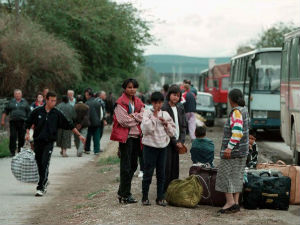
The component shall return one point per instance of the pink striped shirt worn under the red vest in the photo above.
(130, 121)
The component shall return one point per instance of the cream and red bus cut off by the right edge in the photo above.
(290, 93)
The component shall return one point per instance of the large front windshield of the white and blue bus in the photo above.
(267, 72)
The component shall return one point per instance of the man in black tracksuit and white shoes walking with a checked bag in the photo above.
(46, 120)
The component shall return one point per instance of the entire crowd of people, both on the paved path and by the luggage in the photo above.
(152, 134)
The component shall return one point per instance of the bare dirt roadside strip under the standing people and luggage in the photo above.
(89, 197)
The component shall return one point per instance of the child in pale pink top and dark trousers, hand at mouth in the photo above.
(157, 127)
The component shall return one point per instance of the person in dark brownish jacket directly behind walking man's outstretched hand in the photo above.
(82, 122)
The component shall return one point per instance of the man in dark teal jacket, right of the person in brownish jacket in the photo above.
(95, 122)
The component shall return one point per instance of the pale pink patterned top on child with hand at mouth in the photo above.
(155, 134)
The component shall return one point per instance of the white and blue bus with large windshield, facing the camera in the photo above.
(257, 75)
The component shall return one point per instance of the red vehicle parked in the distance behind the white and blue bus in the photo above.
(215, 81)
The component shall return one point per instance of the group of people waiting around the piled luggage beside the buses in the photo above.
(159, 132)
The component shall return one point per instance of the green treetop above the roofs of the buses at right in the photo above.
(274, 36)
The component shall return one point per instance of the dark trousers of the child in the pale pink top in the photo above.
(154, 158)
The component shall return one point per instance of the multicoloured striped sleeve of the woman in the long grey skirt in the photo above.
(236, 124)
